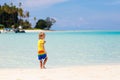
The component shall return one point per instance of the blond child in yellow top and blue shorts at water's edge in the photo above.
(42, 56)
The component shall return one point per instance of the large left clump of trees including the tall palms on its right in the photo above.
(12, 15)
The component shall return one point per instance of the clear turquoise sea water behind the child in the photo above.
(63, 48)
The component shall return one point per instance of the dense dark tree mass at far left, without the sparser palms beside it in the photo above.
(8, 15)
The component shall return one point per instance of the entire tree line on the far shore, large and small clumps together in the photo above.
(12, 16)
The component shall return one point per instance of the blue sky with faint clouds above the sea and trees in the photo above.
(74, 14)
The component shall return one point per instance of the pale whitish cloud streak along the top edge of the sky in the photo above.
(41, 3)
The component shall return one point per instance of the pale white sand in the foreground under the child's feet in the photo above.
(96, 72)
